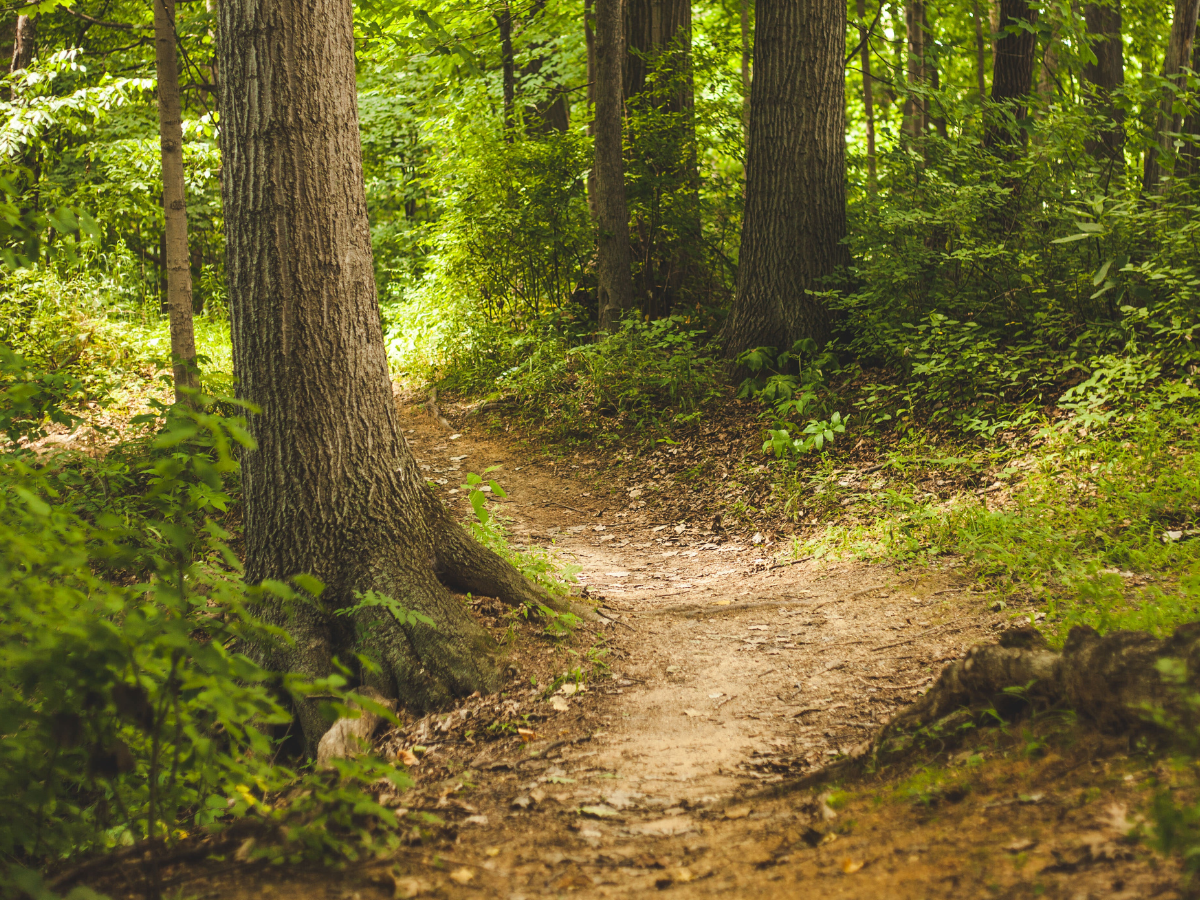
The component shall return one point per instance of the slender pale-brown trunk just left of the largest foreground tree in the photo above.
(175, 202)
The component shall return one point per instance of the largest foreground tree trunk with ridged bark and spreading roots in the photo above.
(332, 489)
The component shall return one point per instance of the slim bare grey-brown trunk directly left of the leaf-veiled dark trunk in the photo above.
(616, 286)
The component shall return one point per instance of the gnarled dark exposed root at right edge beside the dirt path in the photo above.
(1108, 681)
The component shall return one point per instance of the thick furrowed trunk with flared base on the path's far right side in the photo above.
(796, 193)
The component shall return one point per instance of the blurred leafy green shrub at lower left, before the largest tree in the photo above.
(131, 706)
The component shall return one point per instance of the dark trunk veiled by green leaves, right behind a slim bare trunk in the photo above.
(667, 218)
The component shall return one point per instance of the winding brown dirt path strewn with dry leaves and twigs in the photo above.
(680, 755)
